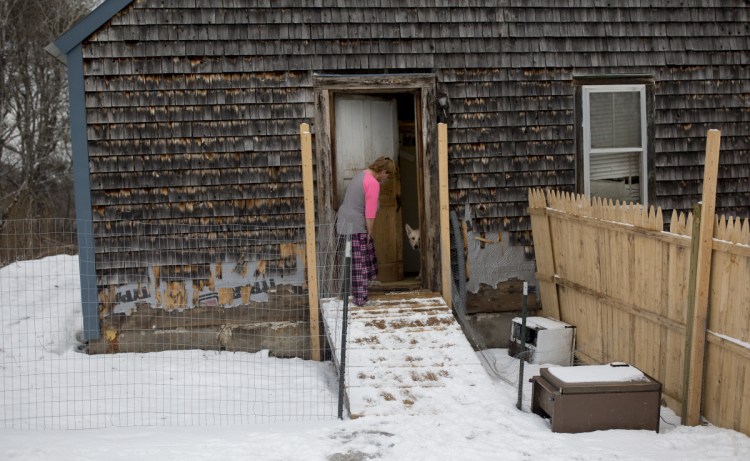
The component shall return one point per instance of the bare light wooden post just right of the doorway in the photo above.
(445, 241)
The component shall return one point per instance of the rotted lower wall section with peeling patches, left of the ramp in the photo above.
(238, 306)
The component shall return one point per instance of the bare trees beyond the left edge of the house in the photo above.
(35, 153)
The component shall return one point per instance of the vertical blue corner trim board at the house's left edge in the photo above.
(82, 192)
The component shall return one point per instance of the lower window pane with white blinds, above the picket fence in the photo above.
(616, 176)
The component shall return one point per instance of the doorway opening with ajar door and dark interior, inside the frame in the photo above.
(366, 126)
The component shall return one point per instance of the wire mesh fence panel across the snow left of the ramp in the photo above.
(197, 325)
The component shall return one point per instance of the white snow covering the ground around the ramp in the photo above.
(59, 404)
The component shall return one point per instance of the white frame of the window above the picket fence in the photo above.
(587, 150)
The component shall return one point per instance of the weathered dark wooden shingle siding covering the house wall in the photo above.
(193, 110)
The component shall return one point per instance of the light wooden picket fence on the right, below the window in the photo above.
(628, 287)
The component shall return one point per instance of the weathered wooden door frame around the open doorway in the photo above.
(326, 86)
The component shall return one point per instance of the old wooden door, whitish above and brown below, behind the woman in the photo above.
(366, 128)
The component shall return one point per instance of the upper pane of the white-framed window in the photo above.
(615, 119)
